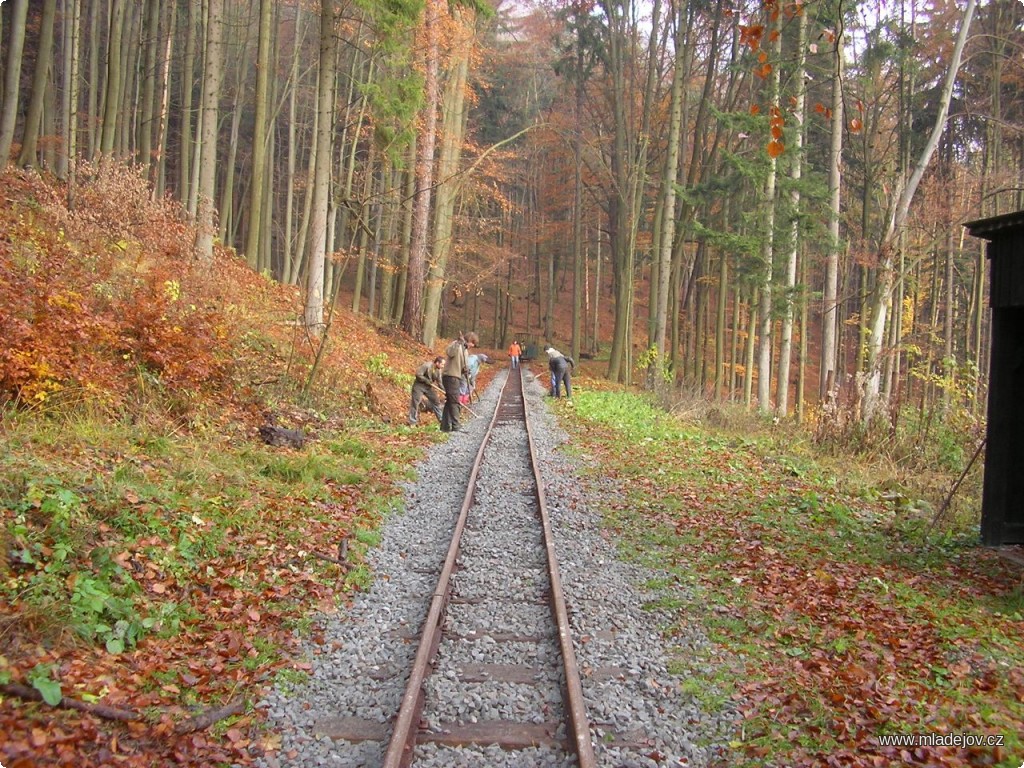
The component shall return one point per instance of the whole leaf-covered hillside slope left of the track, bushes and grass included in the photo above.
(158, 559)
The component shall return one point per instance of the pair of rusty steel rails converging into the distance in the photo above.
(401, 748)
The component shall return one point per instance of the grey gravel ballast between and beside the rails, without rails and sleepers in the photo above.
(638, 715)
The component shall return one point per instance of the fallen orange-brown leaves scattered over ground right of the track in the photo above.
(846, 655)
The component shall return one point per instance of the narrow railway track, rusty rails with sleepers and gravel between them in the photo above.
(495, 680)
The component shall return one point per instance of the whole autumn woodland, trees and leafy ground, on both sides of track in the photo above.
(218, 216)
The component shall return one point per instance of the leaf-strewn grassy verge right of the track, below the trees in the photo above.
(840, 625)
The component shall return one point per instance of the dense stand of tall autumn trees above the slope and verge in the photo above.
(769, 197)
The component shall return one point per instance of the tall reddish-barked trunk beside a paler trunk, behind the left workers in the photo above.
(412, 320)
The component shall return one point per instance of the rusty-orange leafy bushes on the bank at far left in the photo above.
(82, 311)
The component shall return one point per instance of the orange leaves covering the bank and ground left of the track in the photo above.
(107, 300)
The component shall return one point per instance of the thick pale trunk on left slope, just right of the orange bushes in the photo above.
(206, 226)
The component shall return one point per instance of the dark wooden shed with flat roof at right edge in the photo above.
(1003, 501)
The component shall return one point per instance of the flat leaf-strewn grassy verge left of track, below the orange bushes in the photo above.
(167, 574)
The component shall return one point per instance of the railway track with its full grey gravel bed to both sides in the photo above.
(489, 690)
